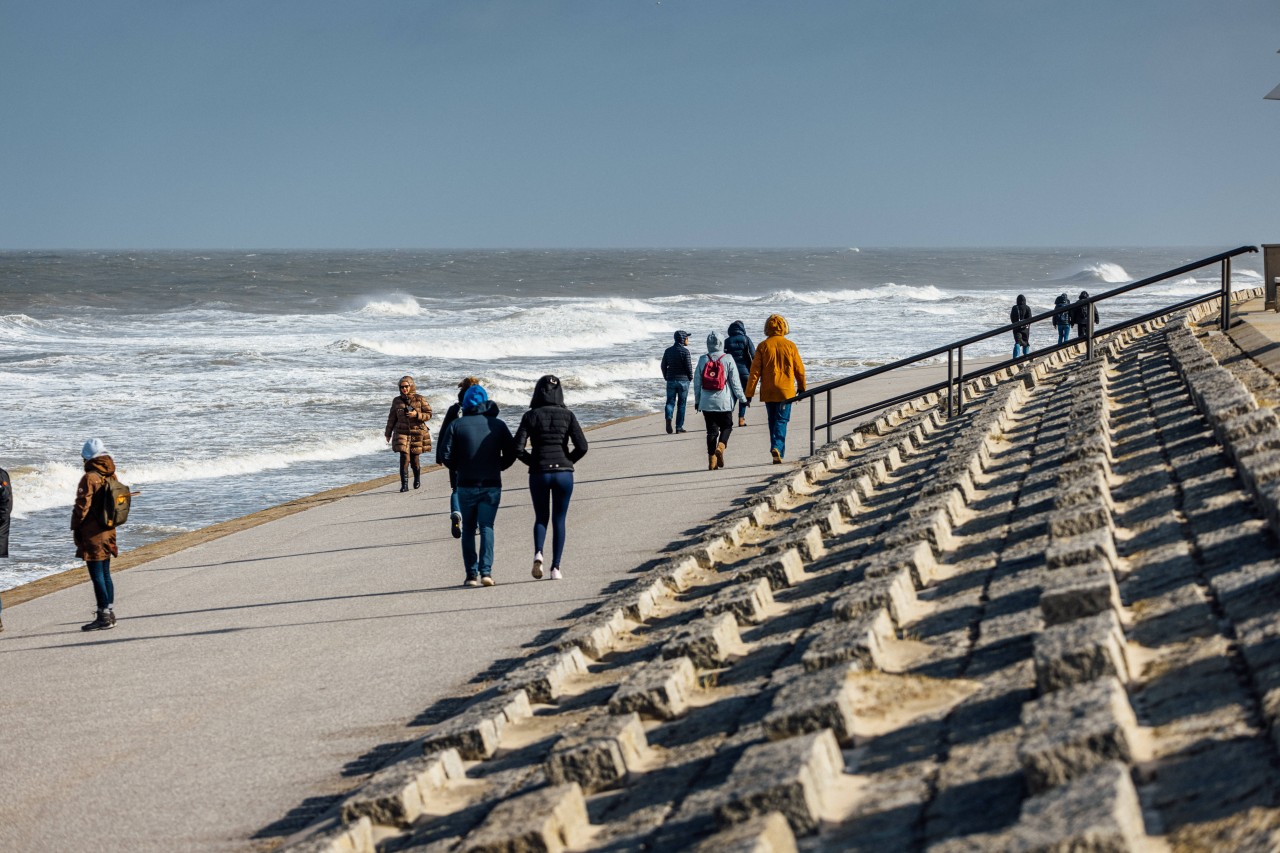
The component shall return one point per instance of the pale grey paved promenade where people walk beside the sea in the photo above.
(253, 677)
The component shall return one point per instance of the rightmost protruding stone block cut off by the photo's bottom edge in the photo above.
(1096, 814)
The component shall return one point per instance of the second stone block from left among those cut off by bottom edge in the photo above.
(547, 820)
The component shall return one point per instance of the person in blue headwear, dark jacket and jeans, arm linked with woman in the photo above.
(478, 448)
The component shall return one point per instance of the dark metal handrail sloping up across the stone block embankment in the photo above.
(957, 376)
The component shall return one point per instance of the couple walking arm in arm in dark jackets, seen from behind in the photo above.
(478, 446)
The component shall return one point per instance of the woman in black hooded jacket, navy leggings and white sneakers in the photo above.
(552, 427)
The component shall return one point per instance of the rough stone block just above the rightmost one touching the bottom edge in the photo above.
(1069, 733)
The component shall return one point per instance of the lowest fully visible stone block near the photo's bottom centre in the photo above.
(789, 777)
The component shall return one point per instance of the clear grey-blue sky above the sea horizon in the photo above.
(637, 124)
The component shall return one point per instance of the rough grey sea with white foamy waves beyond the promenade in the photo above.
(228, 382)
